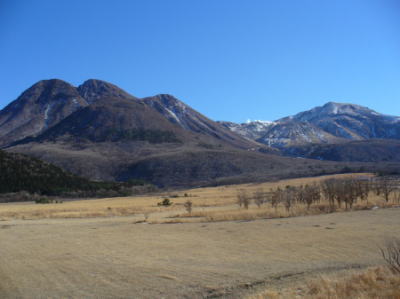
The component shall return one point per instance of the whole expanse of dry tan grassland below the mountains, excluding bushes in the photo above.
(125, 248)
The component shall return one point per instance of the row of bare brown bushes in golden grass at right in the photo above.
(318, 197)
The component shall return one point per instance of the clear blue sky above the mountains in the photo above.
(230, 60)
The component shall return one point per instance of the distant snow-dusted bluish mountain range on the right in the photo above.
(328, 124)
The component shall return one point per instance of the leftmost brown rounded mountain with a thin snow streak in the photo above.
(38, 108)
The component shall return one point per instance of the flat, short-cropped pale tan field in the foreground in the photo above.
(116, 257)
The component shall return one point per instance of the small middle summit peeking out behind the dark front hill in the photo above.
(94, 89)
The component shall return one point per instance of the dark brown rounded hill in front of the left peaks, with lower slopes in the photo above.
(98, 142)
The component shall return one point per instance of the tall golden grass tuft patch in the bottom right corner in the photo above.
(374, 282)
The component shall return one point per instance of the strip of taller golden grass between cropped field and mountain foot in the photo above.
(209, 204)
